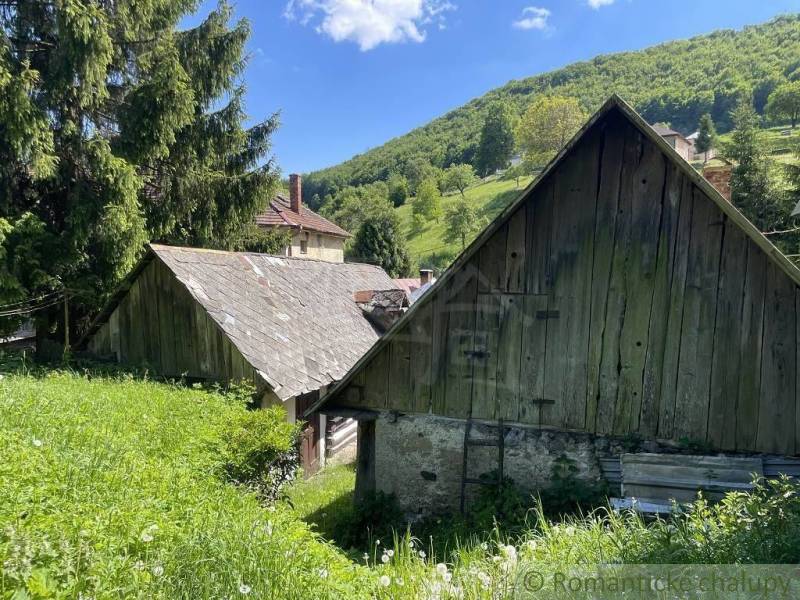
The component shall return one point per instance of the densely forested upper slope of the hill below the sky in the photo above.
(675, 82)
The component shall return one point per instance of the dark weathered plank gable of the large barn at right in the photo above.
(618, 300)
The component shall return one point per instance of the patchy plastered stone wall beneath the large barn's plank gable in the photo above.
(419, 458)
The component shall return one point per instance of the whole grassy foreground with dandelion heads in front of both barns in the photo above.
(110, 488)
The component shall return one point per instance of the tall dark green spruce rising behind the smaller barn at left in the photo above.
(117, 127)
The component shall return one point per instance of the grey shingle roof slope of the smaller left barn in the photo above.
(294, 319)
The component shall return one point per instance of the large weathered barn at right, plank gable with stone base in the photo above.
(620, 302)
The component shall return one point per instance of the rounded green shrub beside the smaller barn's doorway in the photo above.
(259, 450)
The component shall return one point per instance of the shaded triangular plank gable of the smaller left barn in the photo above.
(158, 324)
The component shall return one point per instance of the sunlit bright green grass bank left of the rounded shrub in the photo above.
(109, 490)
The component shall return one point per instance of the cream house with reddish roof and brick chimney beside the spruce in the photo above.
(313, 236)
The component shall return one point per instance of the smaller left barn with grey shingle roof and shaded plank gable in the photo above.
(290, 326)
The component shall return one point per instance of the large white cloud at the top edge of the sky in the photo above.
(370, 22)
